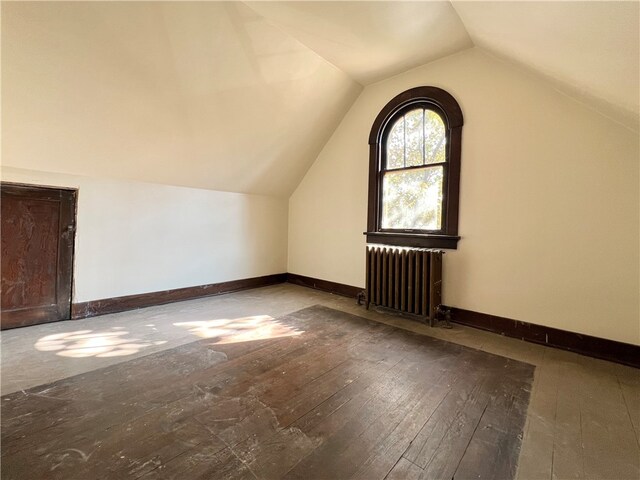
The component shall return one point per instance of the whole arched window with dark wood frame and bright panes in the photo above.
(414, 170)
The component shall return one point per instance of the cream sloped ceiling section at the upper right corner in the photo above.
(590, 50)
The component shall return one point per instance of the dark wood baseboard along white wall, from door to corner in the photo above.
(132, 302)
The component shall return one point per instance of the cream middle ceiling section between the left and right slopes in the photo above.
(371, 41)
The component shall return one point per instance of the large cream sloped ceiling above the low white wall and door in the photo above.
(196, 94)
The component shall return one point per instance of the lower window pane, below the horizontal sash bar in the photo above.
(412, 199)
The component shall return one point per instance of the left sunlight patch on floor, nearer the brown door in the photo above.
(87, 343)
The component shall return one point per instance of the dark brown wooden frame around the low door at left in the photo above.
(67, 197)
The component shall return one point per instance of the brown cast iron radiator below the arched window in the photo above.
(405, 279)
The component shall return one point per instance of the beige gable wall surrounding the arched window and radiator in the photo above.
(549, 210)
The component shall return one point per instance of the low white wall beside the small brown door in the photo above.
(135, 237)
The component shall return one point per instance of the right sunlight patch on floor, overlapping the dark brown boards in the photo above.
(245, 329)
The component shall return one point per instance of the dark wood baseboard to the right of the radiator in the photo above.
(619, 352)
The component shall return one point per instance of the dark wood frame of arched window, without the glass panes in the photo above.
(443, 103)
